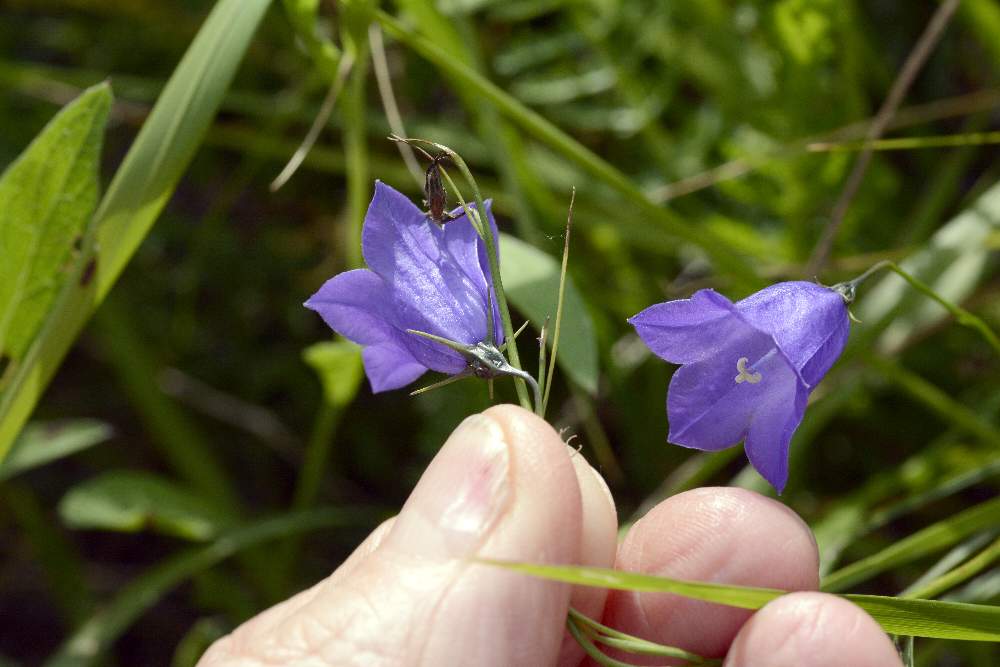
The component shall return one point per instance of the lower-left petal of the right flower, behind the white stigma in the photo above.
(707, 408)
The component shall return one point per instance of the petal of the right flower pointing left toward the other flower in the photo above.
(689, 330)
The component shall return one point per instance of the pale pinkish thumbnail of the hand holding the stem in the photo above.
(460, 496)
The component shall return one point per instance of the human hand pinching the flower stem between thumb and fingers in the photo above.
(505, 486)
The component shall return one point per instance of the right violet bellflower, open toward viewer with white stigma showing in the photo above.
(746, 368)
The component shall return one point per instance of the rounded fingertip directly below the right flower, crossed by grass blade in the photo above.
(723, 535)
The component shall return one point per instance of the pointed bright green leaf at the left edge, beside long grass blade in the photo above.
(47, 197)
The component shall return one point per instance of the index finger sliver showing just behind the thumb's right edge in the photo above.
(599, 542)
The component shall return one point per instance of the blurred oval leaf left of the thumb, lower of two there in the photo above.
(130, 502)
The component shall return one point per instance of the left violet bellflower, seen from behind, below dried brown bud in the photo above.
(422, 277)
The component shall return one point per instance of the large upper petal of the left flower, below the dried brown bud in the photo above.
(431, 286)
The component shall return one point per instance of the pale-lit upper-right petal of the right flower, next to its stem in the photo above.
(808, 321)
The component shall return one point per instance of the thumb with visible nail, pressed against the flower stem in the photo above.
(501, 487)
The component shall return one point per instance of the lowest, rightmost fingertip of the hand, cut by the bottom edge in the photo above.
(812, 630)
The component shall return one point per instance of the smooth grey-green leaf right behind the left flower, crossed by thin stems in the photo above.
(531, 281)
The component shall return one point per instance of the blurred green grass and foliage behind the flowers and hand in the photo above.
(197, 402)
